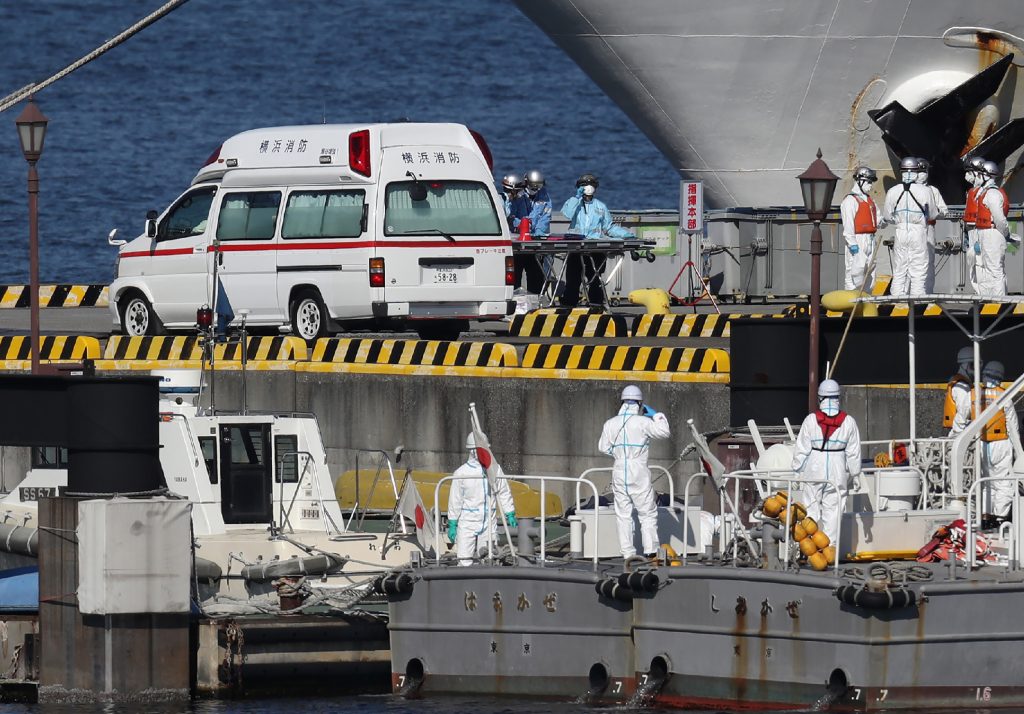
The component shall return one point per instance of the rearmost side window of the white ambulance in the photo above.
(324, 214)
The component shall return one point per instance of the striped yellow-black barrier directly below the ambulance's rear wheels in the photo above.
(413, 353)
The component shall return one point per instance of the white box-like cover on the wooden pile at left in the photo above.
(135, 556)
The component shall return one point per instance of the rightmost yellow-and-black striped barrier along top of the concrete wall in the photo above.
(623, 359)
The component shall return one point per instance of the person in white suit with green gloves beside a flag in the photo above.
(473, 515)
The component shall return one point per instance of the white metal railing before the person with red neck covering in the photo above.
(731, 514)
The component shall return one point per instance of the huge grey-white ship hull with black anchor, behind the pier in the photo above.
(742, 94)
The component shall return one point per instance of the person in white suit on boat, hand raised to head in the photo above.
(626, 438)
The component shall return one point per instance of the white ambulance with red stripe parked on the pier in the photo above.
(310, 228)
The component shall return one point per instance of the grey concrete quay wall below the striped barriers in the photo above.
(537, 427)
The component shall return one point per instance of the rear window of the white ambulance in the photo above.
(457, 208)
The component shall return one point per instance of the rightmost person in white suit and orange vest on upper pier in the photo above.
(993, 231)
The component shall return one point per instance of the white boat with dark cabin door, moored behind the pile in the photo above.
(264, 503)
